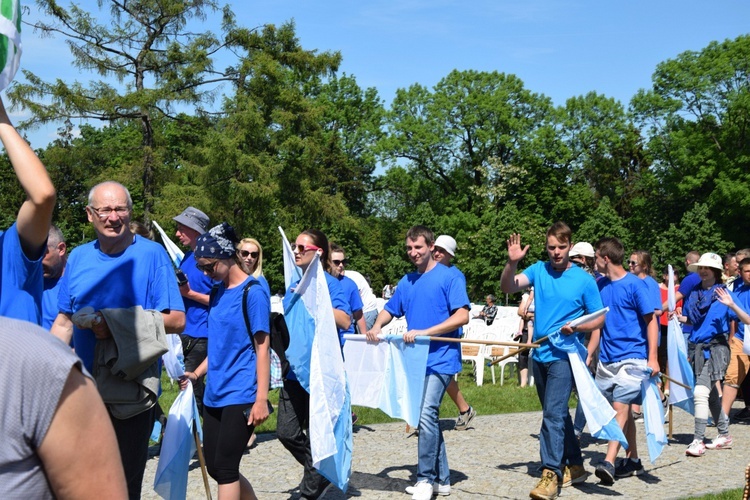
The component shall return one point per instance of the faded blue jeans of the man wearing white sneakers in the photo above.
(433, 460)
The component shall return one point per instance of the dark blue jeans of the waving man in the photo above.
(558, 445)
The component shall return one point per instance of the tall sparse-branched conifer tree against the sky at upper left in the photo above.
(150, 62)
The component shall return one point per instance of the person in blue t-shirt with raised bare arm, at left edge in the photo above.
(22, 244)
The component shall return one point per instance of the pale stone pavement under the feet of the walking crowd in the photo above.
(497, 458)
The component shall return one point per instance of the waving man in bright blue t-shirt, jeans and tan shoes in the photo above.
(562, 292)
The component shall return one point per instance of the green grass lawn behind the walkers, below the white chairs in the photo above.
(487, 400)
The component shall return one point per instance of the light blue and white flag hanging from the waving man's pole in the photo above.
(600, 417)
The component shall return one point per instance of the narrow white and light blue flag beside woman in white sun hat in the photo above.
(677, 360)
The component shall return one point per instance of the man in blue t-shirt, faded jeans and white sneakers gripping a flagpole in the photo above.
(435, 303)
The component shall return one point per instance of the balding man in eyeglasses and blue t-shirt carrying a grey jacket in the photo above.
(111, 275)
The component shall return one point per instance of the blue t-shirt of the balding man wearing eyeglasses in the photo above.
(141, 275)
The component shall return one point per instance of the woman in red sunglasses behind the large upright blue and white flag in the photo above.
(294, 400)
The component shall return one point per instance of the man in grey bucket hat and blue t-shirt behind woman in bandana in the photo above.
(195, 288)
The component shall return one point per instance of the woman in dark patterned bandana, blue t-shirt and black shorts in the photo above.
(236, 397)
